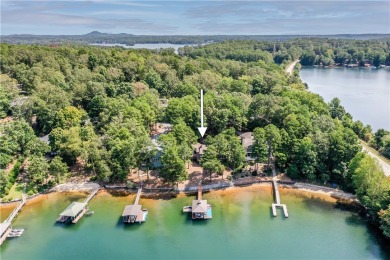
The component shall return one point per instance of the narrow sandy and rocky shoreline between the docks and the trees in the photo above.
(337, 195)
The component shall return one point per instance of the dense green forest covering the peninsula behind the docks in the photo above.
(98, 106)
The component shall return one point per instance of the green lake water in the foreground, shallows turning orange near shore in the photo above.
(242, 227)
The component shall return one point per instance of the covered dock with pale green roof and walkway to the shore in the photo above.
(76, 210)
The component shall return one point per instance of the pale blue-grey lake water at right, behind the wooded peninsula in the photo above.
(365, 93)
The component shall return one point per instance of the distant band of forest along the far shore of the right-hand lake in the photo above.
(312, 51)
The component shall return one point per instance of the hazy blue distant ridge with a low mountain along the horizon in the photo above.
(131, 39)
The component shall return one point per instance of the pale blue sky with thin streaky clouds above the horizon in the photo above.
(52, 17)
